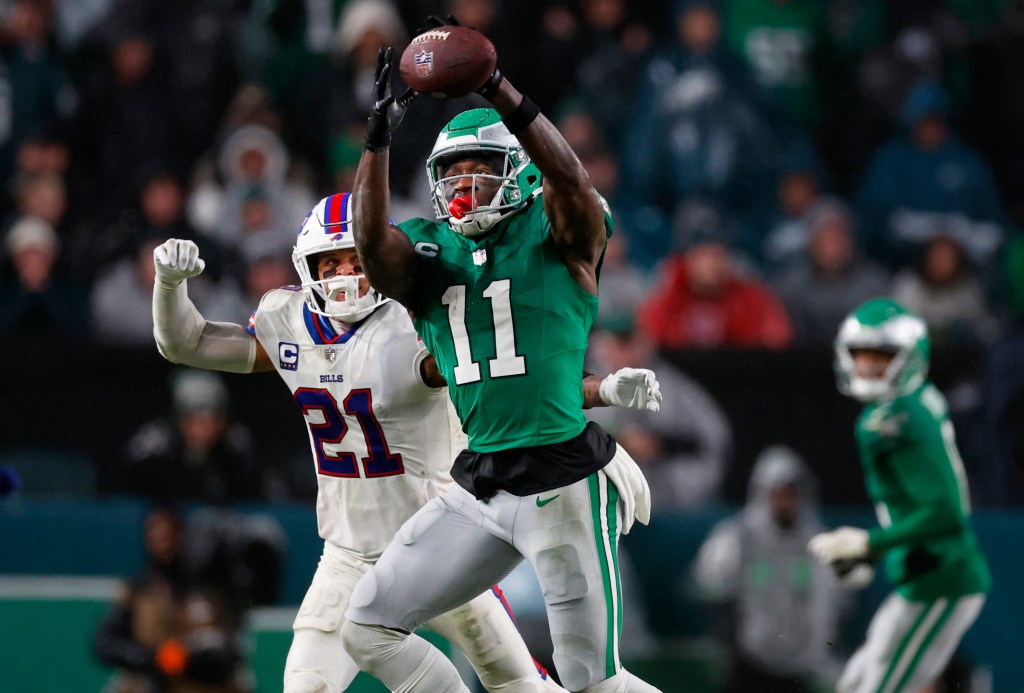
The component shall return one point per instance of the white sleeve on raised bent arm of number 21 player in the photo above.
(184, 336)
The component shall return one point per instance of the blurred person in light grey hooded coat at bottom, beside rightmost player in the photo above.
(780, 608)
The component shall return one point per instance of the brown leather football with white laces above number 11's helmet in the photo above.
(448, 62)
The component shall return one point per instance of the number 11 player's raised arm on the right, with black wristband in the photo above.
(573, 205)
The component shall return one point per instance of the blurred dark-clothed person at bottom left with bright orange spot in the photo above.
(170, 631)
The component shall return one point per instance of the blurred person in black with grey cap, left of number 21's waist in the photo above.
(200, 454)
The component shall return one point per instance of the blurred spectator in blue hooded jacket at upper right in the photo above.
(926, 180)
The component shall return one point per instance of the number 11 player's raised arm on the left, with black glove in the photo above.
(388, 255)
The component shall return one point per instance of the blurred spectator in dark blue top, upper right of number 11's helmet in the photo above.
(700, 126)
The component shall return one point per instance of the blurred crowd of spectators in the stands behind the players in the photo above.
(772, 164)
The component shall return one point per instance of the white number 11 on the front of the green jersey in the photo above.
(506, 363)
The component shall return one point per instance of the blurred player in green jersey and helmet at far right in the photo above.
(916, 480)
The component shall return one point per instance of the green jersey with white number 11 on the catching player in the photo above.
(508, 326)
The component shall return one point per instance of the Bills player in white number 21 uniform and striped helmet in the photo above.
(381, 431)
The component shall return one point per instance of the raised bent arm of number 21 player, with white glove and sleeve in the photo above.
(183, 335)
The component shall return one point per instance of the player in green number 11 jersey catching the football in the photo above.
(503, 288)
